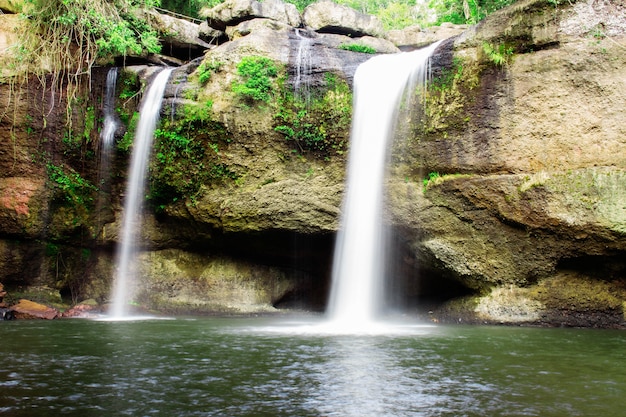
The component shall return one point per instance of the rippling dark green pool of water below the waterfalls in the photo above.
(280, 367)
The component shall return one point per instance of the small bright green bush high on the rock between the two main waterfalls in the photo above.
(256, 73)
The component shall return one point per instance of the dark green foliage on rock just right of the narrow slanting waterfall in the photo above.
(188, 155)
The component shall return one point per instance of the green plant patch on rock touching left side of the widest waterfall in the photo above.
(320, 123)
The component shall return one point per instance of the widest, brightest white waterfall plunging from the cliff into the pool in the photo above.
(359, 262)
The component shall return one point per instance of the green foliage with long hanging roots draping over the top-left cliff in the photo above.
(65, 38)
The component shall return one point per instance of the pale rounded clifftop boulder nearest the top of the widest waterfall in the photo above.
(328, 17)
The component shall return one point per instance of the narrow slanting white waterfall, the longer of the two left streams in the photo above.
(135, 189)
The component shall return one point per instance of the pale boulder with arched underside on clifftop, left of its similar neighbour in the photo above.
(233, 12)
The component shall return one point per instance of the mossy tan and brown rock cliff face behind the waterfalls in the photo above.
(506, 190)
